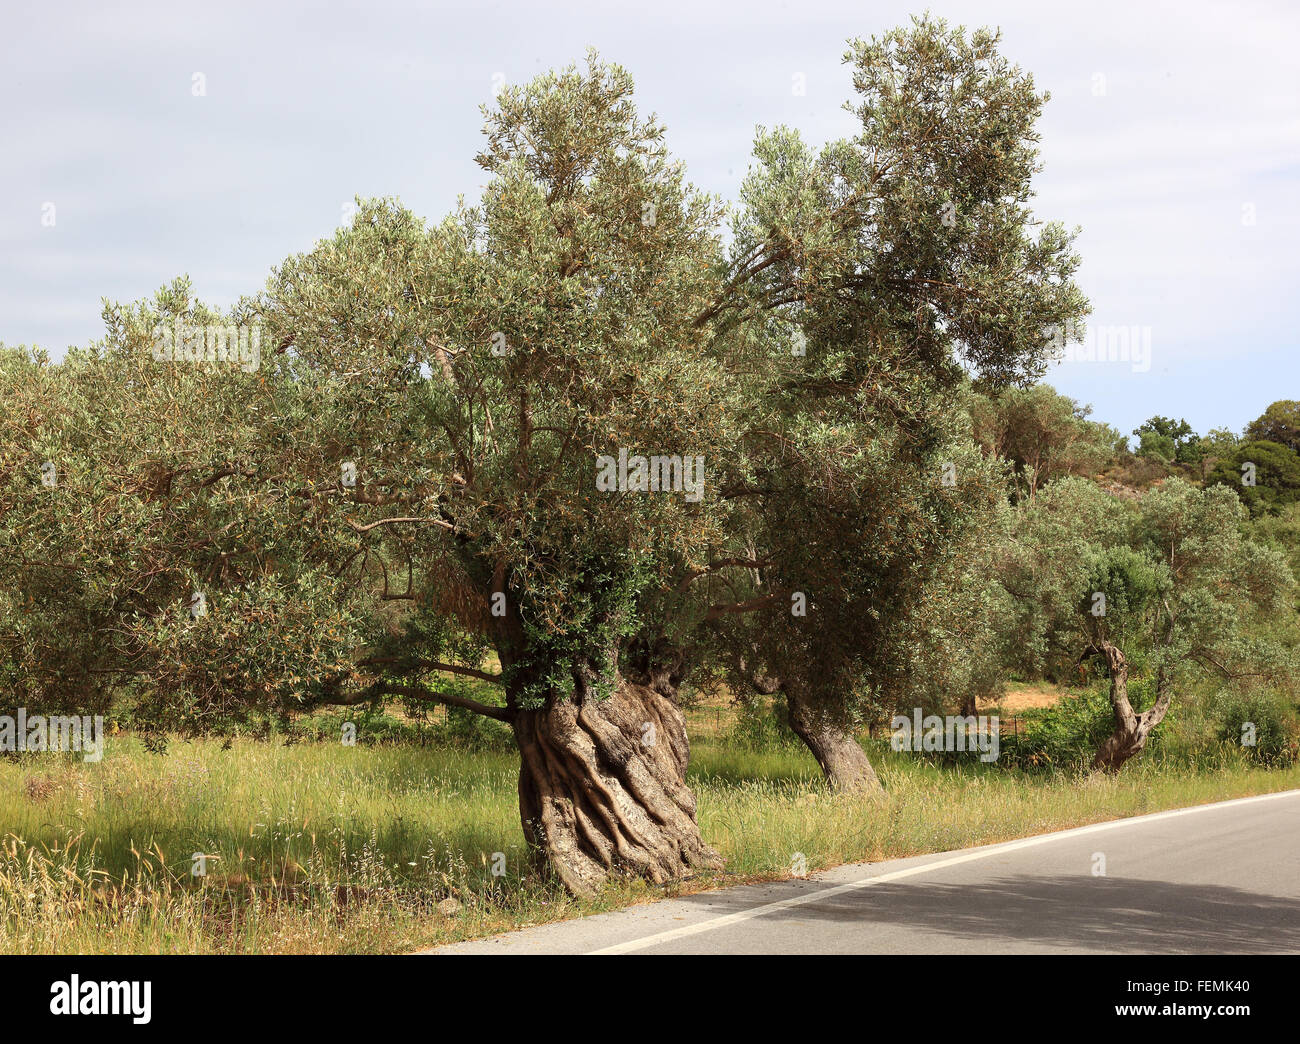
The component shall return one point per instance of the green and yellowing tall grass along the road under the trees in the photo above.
(323, 848)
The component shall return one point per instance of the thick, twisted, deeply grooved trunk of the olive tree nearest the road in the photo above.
(603, 790)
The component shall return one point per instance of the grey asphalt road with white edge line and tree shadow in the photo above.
(1219, 878)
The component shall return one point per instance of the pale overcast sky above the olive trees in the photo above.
(1173, 140)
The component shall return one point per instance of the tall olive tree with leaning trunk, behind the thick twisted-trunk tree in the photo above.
(903, 261)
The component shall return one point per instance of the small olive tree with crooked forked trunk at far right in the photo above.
(1169, 590)
